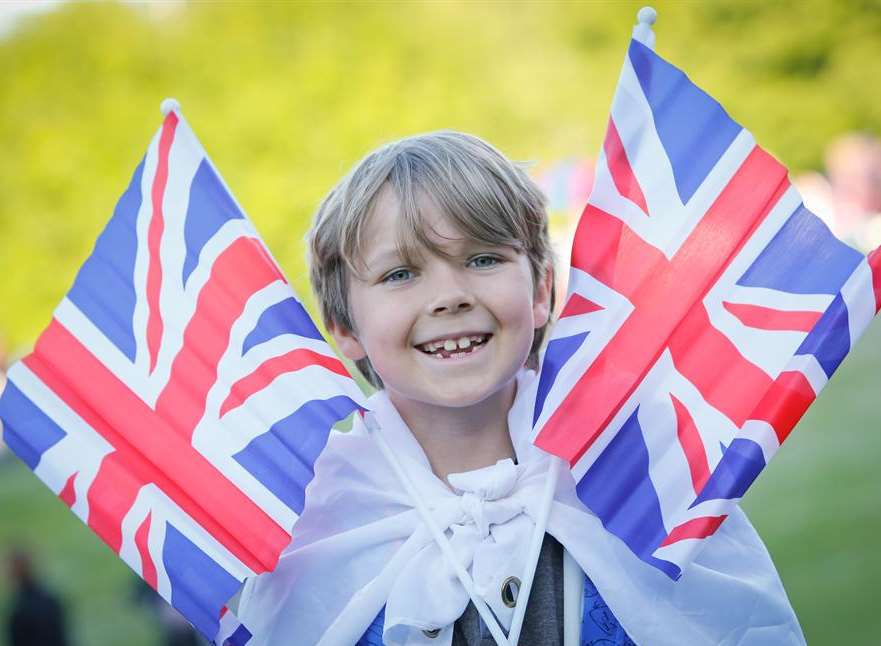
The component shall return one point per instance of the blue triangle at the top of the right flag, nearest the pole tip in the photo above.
(693, 128)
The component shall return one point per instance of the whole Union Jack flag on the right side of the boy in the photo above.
(706, 309)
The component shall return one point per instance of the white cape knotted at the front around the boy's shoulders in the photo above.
(361, 545)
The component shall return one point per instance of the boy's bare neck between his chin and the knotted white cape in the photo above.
(461, 439)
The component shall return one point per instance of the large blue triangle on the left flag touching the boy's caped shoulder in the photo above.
(282, 458)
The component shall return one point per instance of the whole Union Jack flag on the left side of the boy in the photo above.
(181, 393)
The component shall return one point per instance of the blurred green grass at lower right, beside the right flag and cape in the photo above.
(818, 505)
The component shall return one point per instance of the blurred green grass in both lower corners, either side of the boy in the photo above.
(817, 507)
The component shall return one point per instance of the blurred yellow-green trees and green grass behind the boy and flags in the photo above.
(286, 96)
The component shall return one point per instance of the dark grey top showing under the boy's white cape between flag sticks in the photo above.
(543, 624)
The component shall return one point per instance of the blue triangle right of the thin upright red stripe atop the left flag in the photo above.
(210, 206)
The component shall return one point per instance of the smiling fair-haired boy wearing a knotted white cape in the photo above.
(432, 265)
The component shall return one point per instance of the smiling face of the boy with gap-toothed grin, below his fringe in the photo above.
(446, 331)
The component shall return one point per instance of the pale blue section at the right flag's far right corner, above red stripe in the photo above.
(803, 258)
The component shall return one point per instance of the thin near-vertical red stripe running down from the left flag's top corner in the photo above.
(154, 240)
